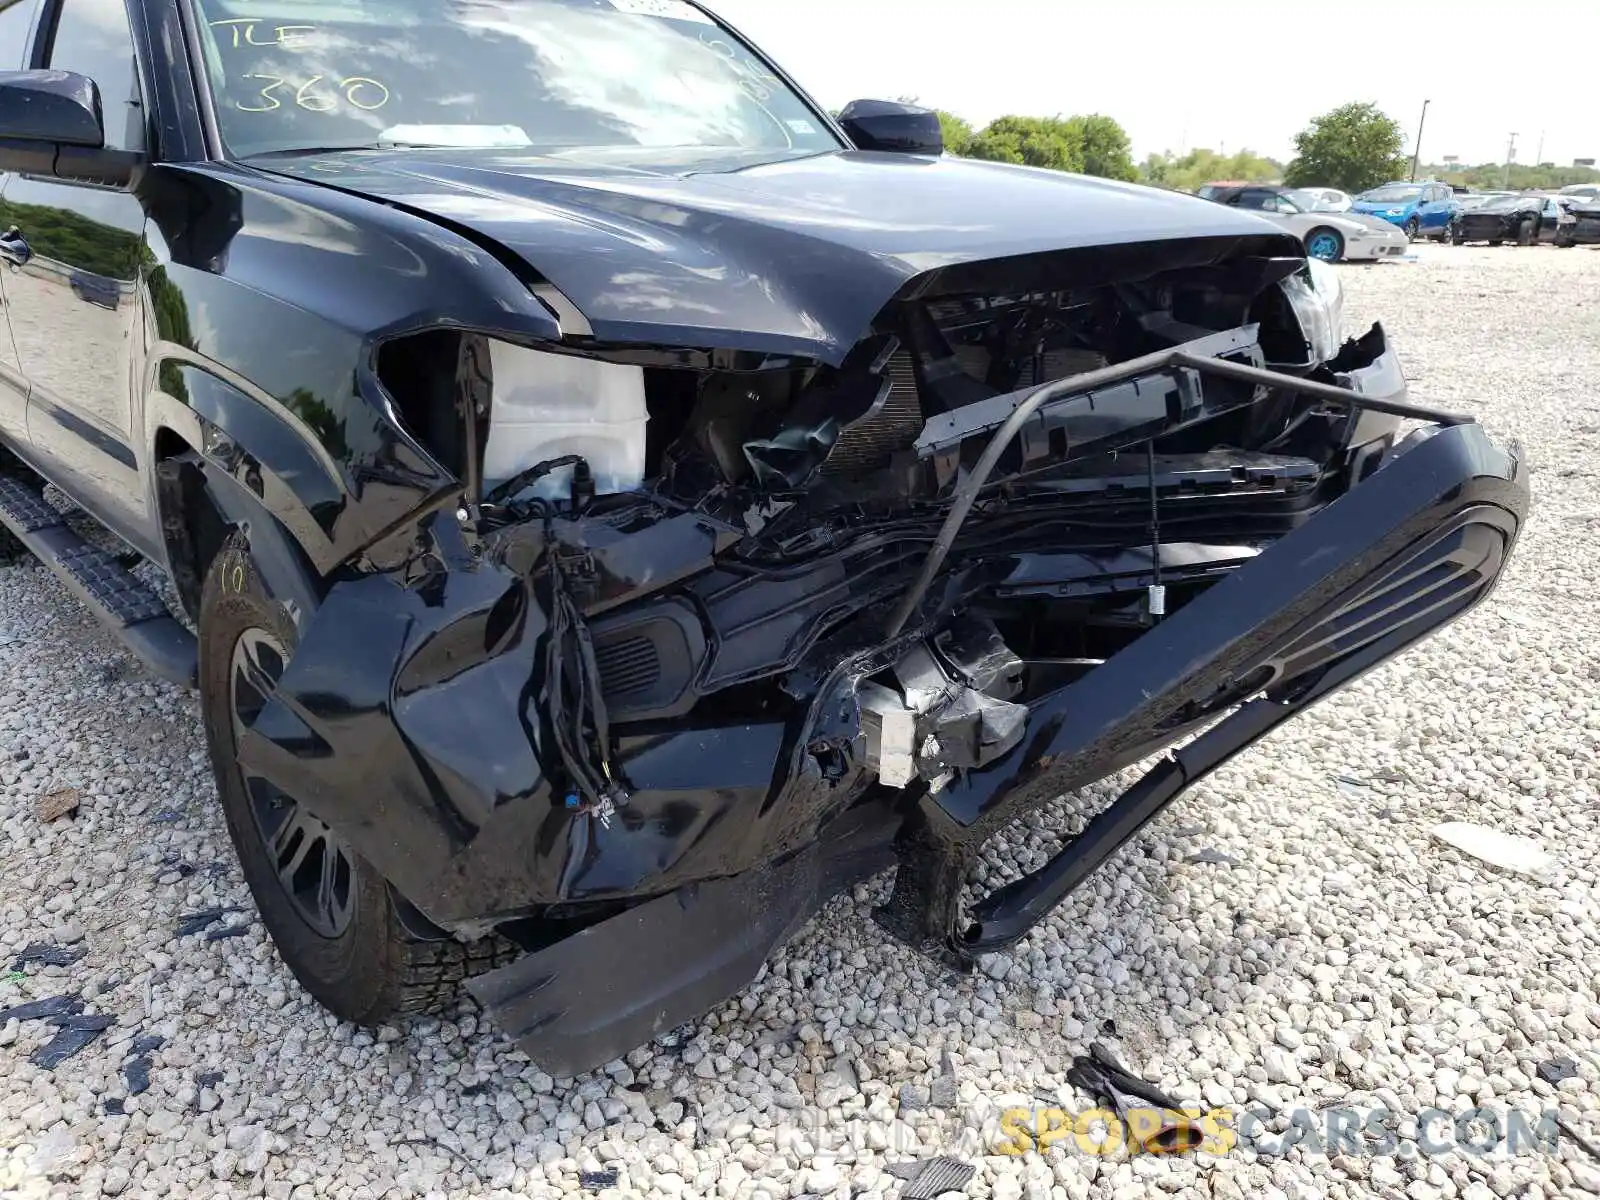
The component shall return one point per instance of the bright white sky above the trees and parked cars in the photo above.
(1218, 74)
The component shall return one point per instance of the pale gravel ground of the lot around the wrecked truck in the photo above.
(1289, 938)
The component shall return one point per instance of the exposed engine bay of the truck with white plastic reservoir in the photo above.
(711, 529)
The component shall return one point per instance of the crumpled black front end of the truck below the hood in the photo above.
(1050, 518)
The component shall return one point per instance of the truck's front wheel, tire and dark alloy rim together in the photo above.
(330, 914)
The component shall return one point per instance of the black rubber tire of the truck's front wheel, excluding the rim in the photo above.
(377, 969)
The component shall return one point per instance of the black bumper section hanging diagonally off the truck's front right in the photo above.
(1406, 553)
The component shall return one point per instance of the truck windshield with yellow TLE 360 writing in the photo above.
(534, 74)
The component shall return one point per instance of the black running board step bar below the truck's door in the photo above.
(124, 604)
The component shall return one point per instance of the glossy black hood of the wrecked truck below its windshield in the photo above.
(791, 257)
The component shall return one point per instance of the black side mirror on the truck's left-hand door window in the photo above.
(52, 124)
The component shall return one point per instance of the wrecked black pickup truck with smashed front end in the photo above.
(614, 503)
